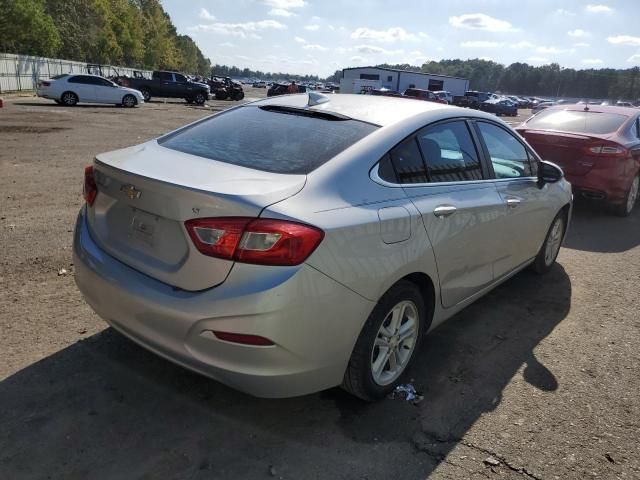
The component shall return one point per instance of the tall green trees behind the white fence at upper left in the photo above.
(132, 33)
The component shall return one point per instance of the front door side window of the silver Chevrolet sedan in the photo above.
(509, 157)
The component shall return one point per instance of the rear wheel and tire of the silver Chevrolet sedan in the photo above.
(380, 336)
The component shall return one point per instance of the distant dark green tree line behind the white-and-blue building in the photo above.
(546, 80)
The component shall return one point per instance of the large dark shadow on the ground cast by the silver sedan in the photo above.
(106, 408)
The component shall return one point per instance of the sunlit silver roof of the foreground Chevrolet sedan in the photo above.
(379, 110)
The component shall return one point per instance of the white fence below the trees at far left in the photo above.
(22, 72)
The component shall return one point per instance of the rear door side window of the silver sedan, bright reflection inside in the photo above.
(449, 152)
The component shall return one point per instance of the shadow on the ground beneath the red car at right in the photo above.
(595, 229)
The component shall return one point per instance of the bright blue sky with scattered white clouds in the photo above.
(321, 36)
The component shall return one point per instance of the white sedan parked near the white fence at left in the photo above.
(70, 89)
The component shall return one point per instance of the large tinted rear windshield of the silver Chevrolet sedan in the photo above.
(280, 142)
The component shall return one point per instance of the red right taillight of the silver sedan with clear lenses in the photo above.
(260, 241)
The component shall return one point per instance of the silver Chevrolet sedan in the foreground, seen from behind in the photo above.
(319, 252)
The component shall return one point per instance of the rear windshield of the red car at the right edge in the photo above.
(577, 121)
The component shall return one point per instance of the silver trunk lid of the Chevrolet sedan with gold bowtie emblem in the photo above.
(146, 193)
